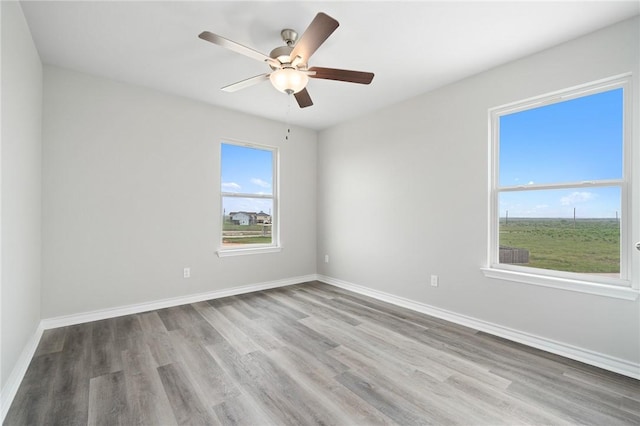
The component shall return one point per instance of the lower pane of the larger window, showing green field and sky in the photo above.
(538, 229)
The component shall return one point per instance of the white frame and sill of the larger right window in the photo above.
(623, 287)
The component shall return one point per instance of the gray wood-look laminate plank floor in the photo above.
(306, 354)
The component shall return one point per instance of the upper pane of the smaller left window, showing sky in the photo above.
(246, 170)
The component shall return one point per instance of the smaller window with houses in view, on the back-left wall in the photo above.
(249, 198)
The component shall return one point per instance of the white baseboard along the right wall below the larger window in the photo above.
(587, 356)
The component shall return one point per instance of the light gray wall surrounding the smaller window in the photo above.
(131, 184)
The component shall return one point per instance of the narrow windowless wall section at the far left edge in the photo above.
(21, 187)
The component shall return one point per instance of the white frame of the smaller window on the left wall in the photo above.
(274, 246)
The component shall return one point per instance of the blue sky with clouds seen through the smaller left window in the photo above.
(249, 171)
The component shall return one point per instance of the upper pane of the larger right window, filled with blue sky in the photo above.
(571, 141)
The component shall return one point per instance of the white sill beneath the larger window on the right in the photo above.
(606, 290)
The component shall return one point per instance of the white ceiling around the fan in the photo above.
(412, 47)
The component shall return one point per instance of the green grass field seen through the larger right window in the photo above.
(592, 246)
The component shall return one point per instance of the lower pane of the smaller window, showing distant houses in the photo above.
(246, 221)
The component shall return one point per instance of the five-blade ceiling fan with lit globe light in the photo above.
(289, 64)
